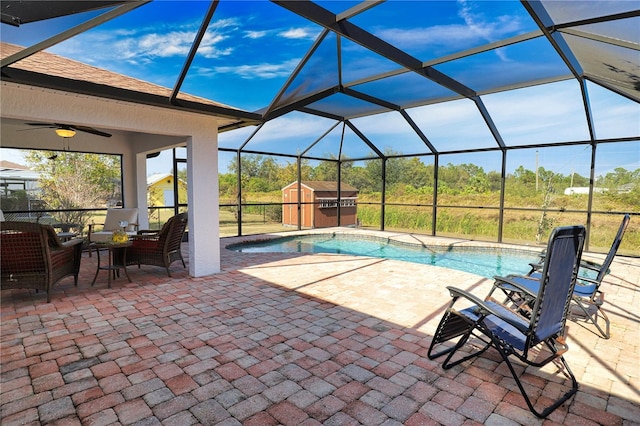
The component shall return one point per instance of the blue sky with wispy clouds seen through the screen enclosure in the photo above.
(251, 48)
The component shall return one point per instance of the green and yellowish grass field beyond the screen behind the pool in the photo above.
(519, 226)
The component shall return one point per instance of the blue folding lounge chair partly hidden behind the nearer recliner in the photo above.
(587, 295)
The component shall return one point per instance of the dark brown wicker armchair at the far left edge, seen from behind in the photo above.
(33, 257)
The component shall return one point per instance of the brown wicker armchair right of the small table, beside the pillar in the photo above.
(159, 248)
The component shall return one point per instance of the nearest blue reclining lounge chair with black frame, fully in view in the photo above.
(512, 334)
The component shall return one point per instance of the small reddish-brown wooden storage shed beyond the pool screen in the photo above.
(319, 204)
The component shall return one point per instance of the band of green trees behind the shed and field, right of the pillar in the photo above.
(409, 175)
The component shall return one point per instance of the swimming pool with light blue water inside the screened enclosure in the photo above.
(486, 262)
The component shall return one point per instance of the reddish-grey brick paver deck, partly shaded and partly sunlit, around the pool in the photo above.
(289, 339)
